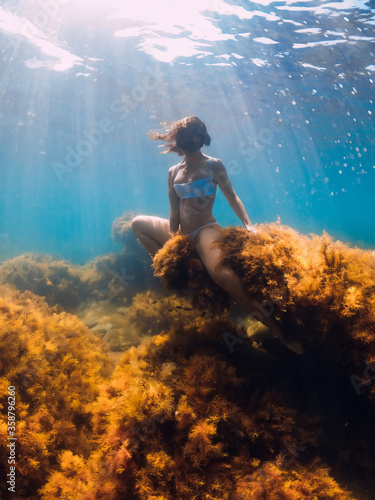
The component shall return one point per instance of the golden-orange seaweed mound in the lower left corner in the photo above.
(55, 365)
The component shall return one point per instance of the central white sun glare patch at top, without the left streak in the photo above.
(153, 23)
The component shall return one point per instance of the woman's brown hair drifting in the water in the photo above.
(188, 134)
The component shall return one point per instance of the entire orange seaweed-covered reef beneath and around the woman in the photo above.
(202, 408)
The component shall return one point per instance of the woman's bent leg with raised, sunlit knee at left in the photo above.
(152, 232)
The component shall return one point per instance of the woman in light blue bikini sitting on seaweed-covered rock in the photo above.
(192, 187)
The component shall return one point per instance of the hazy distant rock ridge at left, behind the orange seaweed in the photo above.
(113, 278)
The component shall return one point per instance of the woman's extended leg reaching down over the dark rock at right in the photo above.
(231, 283)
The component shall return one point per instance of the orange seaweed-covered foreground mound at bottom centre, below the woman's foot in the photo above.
(183, 418)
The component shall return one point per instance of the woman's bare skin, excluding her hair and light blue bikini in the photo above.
(187, 215)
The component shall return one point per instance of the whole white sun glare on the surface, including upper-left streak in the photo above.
(164, 29)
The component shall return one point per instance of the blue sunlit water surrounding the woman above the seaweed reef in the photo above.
(286, 89)
